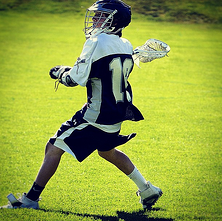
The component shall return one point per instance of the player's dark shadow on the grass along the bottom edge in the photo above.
(140, 215)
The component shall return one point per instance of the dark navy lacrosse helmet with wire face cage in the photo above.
(107, 16)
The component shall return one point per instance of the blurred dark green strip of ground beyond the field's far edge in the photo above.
(195, 11)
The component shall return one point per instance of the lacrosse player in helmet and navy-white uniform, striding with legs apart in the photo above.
(103, 68)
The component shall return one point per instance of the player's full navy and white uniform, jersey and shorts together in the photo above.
(103, 67)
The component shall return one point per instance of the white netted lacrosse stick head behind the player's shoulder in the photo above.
(151, 50)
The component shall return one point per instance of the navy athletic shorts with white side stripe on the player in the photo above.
(79, 138)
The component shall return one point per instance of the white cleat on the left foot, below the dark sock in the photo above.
(22, 202)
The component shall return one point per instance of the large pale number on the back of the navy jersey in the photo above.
(120, 73)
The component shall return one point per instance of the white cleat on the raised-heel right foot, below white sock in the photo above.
(149, 196)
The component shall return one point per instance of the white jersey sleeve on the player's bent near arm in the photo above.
(82, 67)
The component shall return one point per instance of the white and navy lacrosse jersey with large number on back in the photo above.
(104, 67)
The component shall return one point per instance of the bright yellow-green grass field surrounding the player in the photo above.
(178, 145)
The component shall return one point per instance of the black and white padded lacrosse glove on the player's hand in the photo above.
(62, 73)
